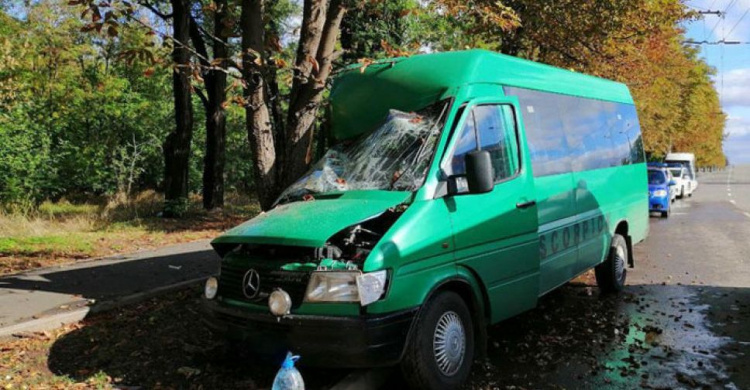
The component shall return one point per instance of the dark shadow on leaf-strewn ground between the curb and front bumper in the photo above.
(163, 343)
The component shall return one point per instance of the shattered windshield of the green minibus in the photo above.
(395, 156)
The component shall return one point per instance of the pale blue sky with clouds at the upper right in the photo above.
(732, 63)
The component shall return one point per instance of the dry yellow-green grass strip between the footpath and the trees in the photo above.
(61, 232)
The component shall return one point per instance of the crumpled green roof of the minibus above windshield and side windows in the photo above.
(361, 99)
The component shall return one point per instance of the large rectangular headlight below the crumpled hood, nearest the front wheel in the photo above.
(334, 286)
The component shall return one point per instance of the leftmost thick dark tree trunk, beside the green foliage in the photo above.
(177, 144)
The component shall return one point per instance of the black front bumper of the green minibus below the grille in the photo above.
(364, 341)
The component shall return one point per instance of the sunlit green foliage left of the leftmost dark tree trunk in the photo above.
(80, 119)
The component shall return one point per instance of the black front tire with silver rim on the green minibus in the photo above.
(443, 316)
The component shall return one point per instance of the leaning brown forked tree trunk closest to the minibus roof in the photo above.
(315, 55)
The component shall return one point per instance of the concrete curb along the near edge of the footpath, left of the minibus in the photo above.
(58, 320)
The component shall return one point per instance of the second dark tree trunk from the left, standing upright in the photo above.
(216, 84)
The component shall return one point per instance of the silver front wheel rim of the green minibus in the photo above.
(449, 343)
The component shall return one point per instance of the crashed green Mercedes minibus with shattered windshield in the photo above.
(460, 188)
